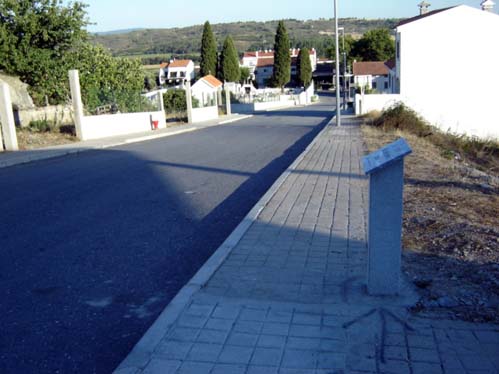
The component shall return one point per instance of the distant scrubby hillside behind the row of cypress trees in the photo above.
(246, 35)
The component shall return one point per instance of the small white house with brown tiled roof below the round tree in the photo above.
(373, 75)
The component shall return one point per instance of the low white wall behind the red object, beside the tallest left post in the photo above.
(96, 127)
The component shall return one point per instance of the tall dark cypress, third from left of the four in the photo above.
(282, 58)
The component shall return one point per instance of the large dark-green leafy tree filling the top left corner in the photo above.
(34, 36)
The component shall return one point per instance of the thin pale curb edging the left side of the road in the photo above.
(55, 153)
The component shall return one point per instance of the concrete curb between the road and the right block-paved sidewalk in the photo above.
(139, 357)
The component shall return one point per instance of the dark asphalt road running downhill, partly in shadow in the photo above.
(94, 246)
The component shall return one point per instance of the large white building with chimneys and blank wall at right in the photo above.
(447, 68)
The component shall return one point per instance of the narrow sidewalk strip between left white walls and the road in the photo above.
(22, 157)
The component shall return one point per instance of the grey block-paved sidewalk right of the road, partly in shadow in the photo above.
(285, 293)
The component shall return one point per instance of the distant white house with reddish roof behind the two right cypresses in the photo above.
(261, 64)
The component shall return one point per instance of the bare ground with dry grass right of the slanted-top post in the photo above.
(450, 231)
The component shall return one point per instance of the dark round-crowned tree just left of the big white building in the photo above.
(375, 45)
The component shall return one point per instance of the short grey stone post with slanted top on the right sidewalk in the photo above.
(386, 181)
